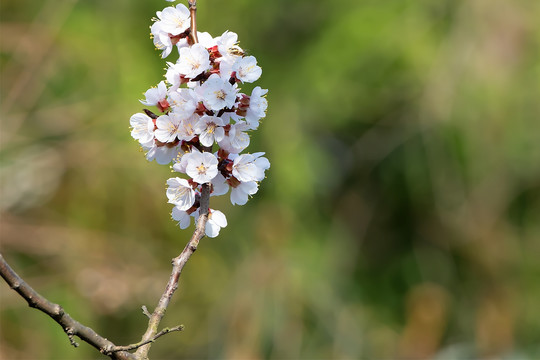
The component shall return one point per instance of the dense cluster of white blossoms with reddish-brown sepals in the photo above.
(200, 119)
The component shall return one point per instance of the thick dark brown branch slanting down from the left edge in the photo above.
(71, 326)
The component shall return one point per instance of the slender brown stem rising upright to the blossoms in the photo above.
(178, 264)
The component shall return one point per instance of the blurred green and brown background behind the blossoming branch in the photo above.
(399, 219)
